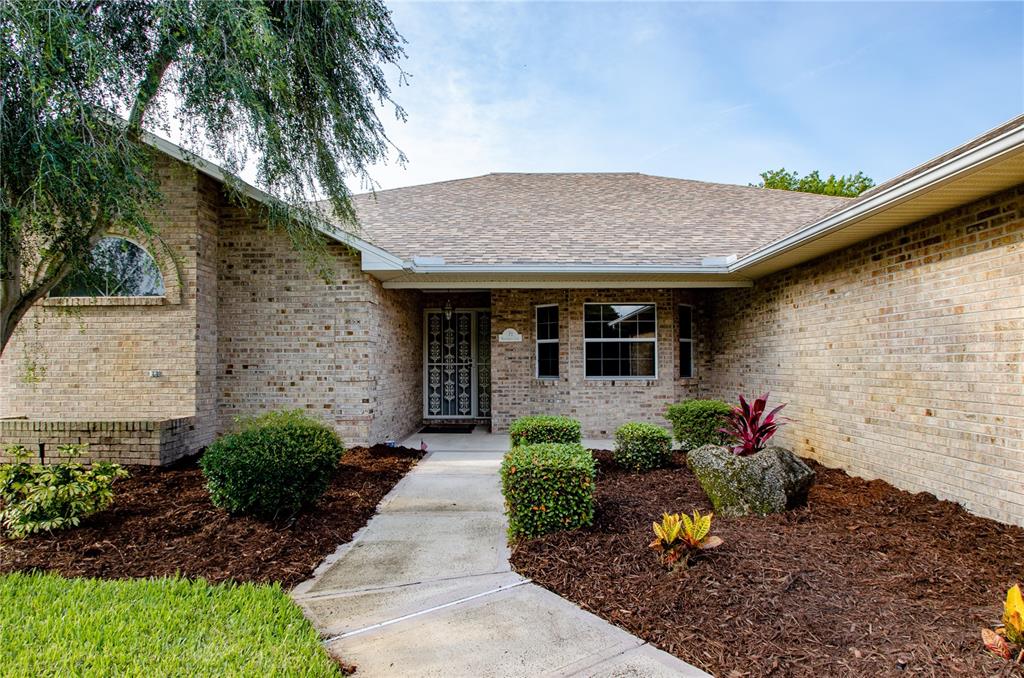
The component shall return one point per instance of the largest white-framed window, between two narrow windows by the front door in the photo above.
(621, 342)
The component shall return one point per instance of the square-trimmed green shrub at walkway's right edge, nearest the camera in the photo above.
(548, 488)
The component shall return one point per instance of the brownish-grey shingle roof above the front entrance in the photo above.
(582, 220)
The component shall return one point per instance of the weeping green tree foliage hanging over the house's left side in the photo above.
(292, 87)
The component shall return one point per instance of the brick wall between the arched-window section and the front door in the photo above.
(347, 352)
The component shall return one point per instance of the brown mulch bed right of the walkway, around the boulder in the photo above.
(866, 580)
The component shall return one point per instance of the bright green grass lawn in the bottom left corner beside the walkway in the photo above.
(52, 626)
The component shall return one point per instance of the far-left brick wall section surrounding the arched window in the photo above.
(90, 360)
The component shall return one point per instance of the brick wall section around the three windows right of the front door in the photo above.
(601, 405)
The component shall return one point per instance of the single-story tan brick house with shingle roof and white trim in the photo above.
(891, 324)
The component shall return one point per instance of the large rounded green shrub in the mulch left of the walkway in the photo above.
(277, 465)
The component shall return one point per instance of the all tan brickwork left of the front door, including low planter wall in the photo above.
(244, 328)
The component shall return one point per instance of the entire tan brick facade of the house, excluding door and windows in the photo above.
(901, 358)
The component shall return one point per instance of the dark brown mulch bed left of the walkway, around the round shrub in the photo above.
(162, 523)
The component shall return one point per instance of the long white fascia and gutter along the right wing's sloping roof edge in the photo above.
(951, 169)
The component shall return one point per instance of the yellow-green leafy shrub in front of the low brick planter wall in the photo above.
(38, 498)
